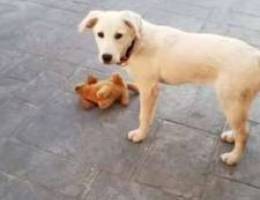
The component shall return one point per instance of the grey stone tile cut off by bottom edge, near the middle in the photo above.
(111, 187)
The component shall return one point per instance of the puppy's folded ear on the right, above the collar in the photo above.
(133, 21)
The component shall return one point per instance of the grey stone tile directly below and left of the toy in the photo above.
(56, 126)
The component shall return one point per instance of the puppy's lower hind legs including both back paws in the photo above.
(235, 105)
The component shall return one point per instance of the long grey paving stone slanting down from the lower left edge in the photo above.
(55, 173)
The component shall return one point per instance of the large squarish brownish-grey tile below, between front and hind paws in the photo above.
(178, 161)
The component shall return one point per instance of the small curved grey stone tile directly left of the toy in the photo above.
(42, 88)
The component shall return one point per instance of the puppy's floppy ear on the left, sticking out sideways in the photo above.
(89, 21)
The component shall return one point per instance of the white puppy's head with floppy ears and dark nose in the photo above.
(116, 33)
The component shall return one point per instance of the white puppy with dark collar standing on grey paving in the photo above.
(154, 53)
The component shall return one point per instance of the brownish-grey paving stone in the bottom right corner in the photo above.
(222, 189)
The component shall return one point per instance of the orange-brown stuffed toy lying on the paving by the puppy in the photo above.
(103, 93)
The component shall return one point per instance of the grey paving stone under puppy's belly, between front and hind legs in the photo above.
(193, 106)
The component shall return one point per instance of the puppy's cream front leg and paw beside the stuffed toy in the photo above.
(148, 96)
